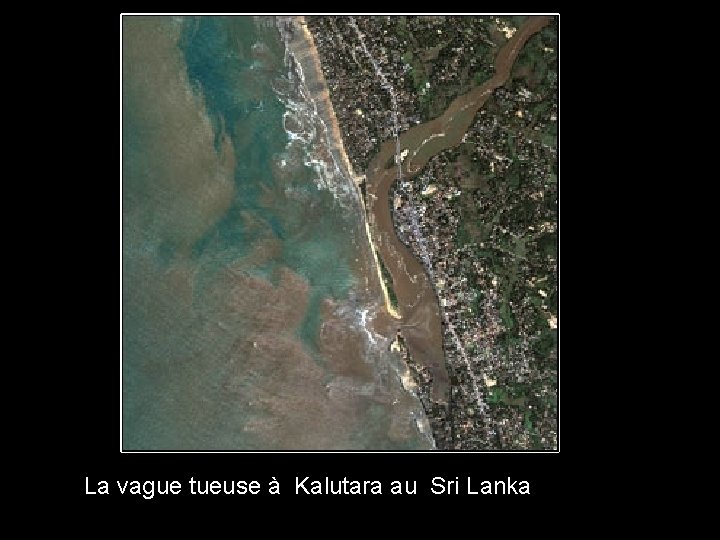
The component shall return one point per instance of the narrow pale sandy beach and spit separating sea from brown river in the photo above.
(301, 45)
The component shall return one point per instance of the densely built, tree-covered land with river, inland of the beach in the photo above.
(478, 213)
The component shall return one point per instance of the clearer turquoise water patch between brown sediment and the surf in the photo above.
(235, 75)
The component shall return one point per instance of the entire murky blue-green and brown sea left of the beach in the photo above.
(245, 312)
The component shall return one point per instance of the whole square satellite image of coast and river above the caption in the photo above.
(339, 233)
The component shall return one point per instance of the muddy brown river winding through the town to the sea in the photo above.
(417, 301)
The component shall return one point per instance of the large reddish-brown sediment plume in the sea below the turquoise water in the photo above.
(284, 396)
